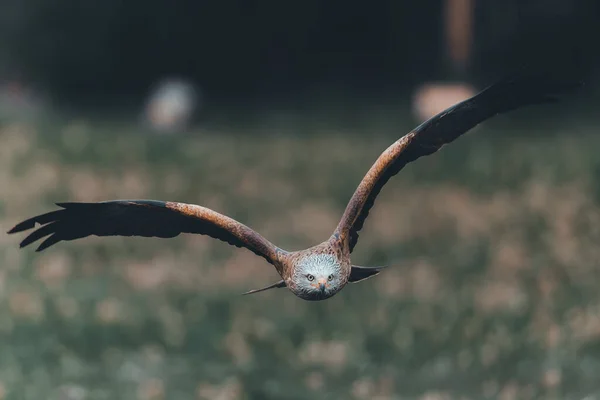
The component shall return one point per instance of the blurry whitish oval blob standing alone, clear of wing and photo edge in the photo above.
(171, 105)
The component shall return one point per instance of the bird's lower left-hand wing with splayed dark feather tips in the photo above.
(149, 218)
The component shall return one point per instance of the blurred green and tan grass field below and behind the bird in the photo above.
(491, 290)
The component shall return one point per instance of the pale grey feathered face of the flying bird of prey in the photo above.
(317, 277)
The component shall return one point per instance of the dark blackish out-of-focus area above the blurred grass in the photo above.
(239, 50)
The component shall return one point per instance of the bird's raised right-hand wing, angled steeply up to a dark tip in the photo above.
(506, 95)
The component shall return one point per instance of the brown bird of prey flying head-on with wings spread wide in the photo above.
(321, 271)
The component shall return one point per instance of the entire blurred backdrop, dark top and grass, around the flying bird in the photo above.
(492, 289)
